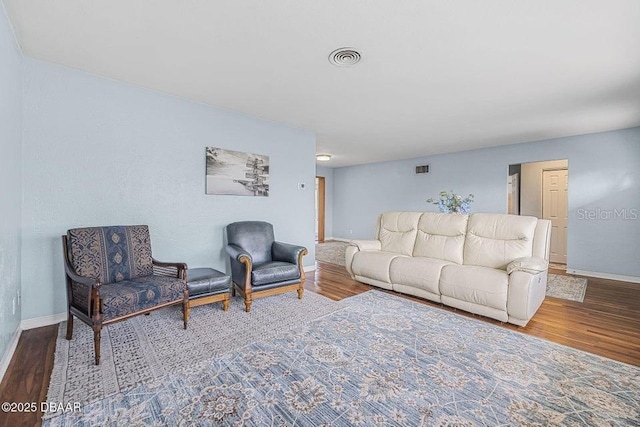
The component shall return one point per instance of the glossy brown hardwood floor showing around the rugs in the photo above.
(607, 323)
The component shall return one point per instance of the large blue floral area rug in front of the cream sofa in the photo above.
(385, 360)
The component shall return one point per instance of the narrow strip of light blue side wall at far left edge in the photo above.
(10, 180)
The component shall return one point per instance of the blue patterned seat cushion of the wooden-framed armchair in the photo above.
(131, 296)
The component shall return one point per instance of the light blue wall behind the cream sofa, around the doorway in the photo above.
(604, 176)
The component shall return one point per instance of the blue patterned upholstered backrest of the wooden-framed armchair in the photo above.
(111, 254)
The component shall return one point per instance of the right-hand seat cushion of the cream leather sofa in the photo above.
(478, 285)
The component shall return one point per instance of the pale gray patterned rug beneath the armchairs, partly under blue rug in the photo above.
(144, 348)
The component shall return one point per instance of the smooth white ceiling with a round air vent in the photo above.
(436, 76)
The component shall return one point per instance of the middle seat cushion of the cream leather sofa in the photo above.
(419, 272)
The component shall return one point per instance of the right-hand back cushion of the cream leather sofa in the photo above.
(494, 240)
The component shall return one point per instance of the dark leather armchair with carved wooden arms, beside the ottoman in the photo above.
(260, 266)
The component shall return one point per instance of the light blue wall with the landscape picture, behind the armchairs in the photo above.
(99, 152)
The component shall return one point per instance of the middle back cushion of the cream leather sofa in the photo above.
(441, 236)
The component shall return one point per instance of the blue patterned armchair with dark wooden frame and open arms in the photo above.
(111, 276)
